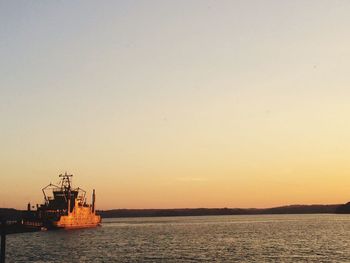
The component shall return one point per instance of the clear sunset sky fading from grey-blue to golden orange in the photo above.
(169, 104)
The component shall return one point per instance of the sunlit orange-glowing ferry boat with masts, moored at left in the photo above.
(64, 207)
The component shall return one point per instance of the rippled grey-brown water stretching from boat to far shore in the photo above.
(266, 238)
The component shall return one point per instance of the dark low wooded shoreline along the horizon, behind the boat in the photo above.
(13, 214)
